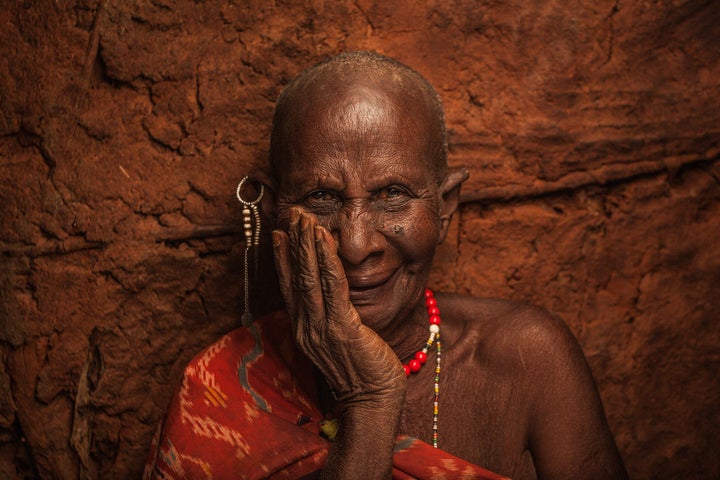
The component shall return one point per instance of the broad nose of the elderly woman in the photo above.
(357, 236)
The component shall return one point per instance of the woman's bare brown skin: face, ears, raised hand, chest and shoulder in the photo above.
(360, 209)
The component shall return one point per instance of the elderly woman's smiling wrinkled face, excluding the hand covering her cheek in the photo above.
(360, 161)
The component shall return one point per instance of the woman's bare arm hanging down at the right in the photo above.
(569, 435)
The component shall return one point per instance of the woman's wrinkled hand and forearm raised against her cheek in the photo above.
(363, 371)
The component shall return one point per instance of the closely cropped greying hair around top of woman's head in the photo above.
(343, 71)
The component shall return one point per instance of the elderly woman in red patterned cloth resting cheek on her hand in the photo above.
(367, 373)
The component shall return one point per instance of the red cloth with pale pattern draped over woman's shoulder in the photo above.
(247, 408)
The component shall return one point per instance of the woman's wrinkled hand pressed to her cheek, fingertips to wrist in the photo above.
(359, 365)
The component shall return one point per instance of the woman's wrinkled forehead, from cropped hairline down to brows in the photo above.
(360, 126)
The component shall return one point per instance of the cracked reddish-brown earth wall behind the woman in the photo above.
(590, 130)
